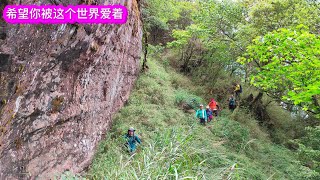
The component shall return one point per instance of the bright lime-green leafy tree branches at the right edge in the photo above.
(285, 63)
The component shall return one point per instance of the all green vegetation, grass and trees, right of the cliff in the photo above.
(274, 134)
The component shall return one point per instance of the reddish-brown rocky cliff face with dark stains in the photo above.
(60, 85)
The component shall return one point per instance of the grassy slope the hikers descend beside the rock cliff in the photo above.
(176, 146)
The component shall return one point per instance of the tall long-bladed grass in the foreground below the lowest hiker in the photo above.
(168, 156)
